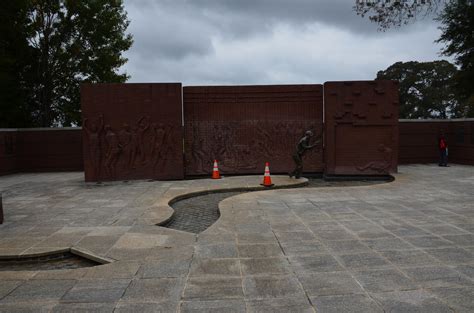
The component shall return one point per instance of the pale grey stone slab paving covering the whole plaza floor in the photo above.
(405, 246)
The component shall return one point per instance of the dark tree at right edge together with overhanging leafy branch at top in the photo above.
(457, 19)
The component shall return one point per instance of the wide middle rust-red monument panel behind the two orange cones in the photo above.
(245, 126)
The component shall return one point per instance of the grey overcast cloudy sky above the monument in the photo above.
(230, 42)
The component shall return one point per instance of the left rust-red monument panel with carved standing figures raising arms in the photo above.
(132, 131)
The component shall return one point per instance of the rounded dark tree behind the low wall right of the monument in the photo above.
(426, 89)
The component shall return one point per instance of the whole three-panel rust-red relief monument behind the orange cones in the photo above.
(241, 137)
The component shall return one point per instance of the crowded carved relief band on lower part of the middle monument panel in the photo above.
(244, 146)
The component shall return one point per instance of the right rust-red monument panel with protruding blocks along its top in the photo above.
(361, 133)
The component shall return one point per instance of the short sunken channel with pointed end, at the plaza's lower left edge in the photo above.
(56, 260)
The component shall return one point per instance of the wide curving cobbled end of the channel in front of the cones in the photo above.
(196, 214)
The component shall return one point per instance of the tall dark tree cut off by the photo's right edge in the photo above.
(458, 33)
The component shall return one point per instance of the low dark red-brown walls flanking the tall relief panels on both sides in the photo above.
(60, 149)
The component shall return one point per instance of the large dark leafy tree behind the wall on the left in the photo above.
(67, 42)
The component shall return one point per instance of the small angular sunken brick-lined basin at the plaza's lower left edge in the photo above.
(57, 261)
